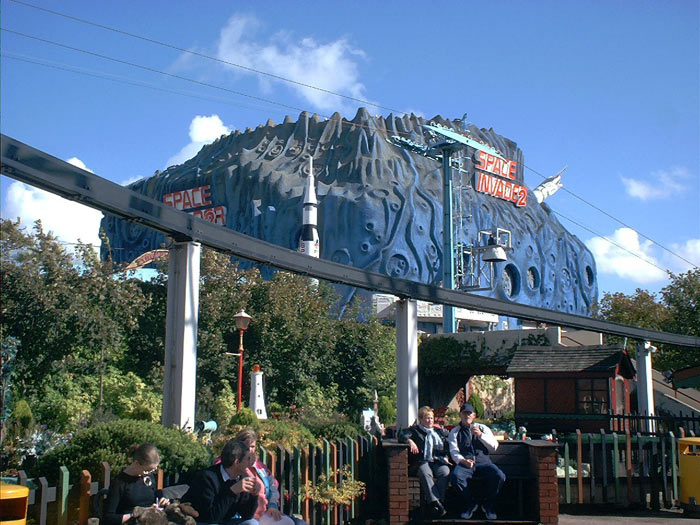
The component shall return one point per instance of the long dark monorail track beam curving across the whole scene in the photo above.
(40, 169)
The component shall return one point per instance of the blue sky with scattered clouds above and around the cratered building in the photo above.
(610, 89)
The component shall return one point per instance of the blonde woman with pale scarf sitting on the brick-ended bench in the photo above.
(429, 460)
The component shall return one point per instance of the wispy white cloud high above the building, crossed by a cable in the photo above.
(331, 66)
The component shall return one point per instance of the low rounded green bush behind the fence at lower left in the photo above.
(179, 451)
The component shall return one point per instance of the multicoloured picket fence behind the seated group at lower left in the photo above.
(69, 503)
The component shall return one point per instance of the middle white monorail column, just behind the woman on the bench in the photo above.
(406, 362)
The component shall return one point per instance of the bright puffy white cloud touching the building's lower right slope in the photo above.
(640, 266)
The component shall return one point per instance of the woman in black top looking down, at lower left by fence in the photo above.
(135, 486)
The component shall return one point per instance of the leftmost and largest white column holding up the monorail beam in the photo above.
(181, 335)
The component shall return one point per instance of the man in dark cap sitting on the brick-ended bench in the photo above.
(470, 445)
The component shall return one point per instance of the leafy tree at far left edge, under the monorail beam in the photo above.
(70, 314)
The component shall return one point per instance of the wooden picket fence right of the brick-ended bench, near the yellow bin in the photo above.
(622, 469)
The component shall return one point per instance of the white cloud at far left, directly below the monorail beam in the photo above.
(68, 220)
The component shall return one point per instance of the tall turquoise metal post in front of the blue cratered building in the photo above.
(448, 271)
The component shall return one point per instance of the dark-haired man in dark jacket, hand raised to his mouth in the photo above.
(223, 493)
